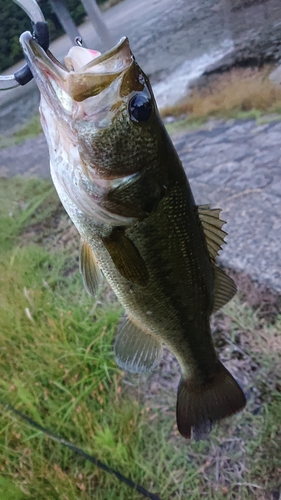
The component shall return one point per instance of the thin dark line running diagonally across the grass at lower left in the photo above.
(83, 454)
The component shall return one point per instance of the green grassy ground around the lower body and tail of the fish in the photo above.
(57, 367)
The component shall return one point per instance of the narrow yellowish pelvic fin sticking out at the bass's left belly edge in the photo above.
(89, 269)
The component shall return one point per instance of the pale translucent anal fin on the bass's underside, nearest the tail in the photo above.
(136, 350)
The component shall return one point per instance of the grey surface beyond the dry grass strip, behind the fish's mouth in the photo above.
(170, 37)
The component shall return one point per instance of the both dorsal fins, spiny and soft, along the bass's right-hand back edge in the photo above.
(224, 286)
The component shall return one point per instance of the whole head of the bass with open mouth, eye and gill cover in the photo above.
(99, 117)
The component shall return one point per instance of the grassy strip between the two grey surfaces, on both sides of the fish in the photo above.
(240, 93)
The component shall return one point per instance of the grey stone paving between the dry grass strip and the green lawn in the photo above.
(235, 166)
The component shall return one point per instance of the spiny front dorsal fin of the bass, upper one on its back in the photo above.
(212, 226)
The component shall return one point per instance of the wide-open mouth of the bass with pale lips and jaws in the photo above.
(75, 81)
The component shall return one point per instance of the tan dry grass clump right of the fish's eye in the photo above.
(238, 90)
